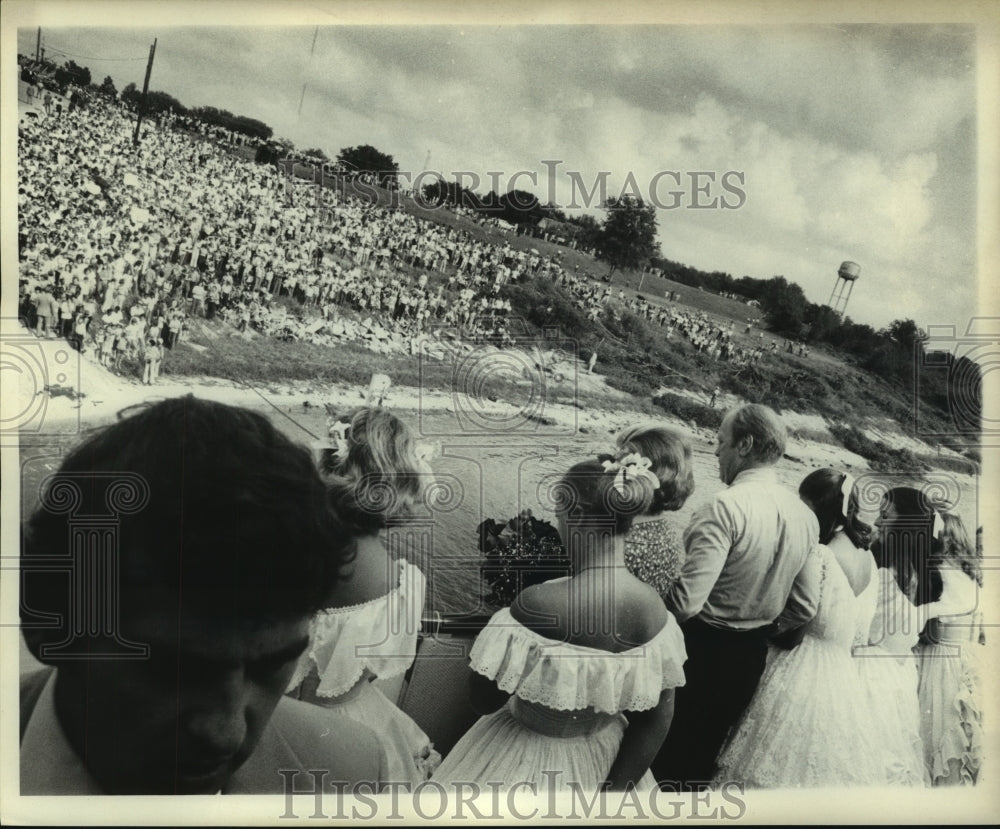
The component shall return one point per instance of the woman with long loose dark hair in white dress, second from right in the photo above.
(887, 665)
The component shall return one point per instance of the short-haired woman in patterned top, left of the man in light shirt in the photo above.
(654, 552)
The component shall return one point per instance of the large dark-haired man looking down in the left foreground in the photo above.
(169, 576)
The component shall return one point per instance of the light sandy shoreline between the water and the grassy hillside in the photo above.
(72, 392)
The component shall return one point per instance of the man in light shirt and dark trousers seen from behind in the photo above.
(748, 574)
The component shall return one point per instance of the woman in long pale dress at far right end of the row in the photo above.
(951, 716)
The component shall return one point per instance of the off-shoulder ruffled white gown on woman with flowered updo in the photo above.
(564, 724)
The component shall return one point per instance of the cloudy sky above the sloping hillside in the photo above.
(848, 142)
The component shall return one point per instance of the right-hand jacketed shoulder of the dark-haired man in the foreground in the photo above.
(309, 738)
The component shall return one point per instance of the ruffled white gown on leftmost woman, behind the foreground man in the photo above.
(349, 646)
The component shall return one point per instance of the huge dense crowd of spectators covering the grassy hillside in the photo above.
(122, 246)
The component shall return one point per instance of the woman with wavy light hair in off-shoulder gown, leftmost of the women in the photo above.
(369, 629)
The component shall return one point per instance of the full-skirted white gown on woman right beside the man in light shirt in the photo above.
(809, 724)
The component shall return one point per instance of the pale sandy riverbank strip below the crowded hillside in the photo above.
(60, 391)
